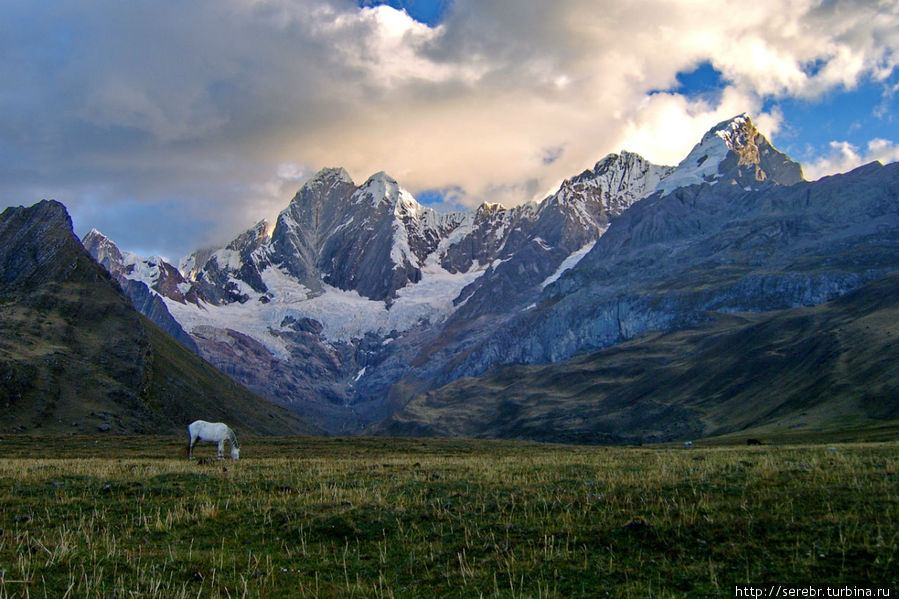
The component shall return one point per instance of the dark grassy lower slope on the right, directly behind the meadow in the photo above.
(823, 368)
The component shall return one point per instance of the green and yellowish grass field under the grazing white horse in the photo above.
(131, 517)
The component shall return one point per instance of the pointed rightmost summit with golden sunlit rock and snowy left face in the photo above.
(734, 152)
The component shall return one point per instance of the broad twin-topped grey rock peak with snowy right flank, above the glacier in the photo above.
(369, 238)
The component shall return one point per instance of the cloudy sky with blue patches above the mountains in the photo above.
(174, 125)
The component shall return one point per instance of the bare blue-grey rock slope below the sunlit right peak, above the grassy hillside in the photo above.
(673, 260)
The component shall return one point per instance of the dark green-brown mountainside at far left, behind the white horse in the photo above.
(75, 355)
